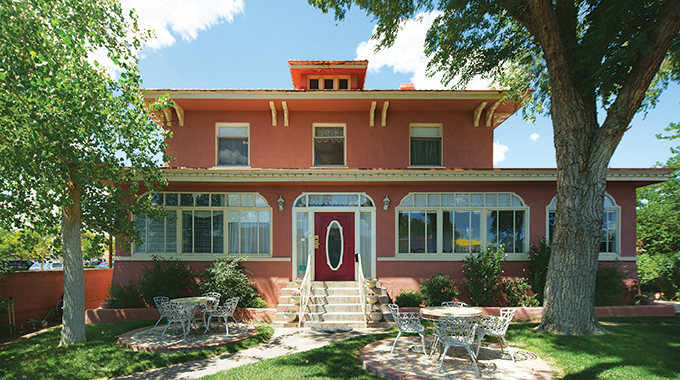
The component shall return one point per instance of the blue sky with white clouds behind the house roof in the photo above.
(246, 44)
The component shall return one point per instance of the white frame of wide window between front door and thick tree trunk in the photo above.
(442, 256)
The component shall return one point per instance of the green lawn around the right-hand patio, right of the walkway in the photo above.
(639, 348)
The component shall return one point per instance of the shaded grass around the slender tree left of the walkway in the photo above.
(39, 357)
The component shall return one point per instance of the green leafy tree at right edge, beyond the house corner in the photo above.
(658, 226)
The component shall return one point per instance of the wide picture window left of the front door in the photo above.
(207, 223)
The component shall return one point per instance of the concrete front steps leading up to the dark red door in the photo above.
(333, 304)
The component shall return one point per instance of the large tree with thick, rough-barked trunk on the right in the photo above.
(577, 55)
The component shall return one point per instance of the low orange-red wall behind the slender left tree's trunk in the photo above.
(35, 293)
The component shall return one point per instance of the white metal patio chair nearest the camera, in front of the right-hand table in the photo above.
(457, 332)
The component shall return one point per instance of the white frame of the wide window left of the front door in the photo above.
(188, 256)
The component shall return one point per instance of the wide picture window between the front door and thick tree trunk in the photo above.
(461, 223)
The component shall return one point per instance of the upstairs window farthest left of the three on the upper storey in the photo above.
(232, 144)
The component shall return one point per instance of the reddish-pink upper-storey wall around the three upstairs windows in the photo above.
(464, 146)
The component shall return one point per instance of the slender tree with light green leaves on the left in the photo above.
(69, 129)
